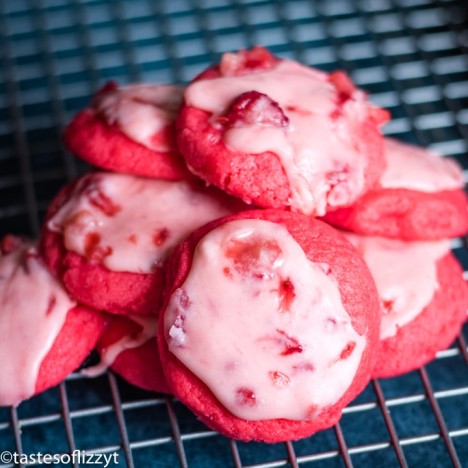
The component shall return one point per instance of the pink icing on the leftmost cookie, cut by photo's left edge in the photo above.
(33, 308)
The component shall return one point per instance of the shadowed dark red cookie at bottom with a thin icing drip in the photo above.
(129, 347)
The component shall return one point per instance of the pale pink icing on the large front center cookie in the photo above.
(262, 326)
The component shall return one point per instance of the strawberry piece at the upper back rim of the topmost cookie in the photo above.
(247, 61)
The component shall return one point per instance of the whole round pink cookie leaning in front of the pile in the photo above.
(269, 326)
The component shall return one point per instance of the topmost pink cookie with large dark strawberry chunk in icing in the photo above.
(278, 134)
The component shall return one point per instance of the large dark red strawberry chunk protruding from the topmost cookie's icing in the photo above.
(254, 108)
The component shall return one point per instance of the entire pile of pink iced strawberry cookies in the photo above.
(251, 244)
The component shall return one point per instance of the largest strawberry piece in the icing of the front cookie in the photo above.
(254, 258)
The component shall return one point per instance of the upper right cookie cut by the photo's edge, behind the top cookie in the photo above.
(420, 197)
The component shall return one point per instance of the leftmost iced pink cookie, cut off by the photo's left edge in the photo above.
(44, 334)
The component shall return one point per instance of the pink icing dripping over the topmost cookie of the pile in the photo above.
(317, 148)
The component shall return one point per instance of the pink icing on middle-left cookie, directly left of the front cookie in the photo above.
(130, 223)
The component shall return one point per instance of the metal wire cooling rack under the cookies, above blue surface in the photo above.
(411, 55)
